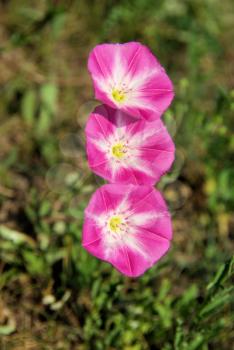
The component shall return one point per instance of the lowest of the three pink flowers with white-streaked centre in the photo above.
(128, 226)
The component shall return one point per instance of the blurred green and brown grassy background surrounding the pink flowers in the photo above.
(53, 295)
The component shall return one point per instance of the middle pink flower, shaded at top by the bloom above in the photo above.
(126, 150)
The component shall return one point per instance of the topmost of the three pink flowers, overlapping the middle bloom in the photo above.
(129, 77)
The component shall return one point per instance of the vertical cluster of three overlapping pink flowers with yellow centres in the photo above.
(127, 222)
